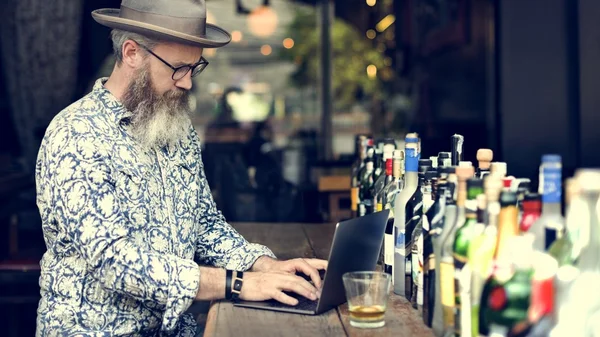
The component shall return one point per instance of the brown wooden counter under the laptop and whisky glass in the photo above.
(304, 240)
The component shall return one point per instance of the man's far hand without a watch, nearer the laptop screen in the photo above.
(309, 267)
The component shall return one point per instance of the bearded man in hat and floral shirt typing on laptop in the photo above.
(127, 213)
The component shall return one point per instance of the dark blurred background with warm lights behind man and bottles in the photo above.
(279, 107)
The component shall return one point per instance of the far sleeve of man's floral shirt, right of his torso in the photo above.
(218, 243)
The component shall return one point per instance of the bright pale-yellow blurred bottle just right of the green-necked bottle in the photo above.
(483, 245)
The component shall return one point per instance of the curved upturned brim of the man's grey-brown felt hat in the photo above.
(215, 36)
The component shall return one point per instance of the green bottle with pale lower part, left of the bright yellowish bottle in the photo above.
(462, 270)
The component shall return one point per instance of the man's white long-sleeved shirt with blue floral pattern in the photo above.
(125, 228)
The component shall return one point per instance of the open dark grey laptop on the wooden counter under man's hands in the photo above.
(356, 246)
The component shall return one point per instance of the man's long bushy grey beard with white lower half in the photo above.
(158, 120)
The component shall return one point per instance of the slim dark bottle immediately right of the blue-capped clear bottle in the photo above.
(413, 213)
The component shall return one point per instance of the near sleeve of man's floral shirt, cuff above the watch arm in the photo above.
(88, 213)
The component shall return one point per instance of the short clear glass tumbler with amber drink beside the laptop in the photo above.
(367, 293)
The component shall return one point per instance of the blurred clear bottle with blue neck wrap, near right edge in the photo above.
(551, 223)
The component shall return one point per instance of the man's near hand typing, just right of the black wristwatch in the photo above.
(261, 286)
